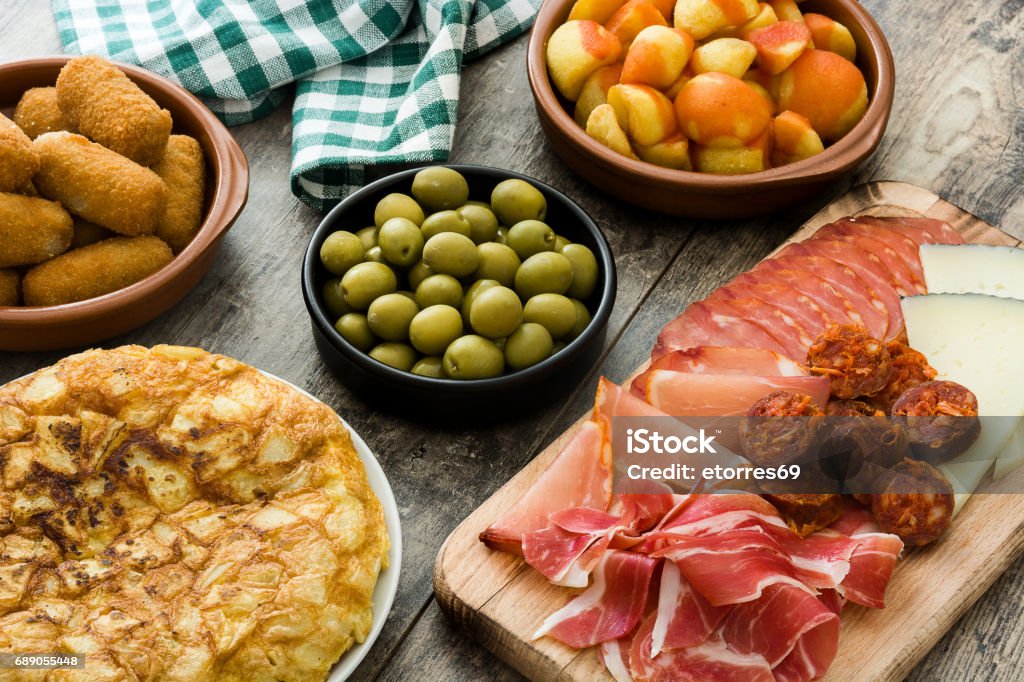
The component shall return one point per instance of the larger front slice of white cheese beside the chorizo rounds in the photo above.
(974, 340)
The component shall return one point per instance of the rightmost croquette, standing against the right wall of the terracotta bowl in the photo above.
(184, 172)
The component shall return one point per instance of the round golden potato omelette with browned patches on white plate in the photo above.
(178, 516)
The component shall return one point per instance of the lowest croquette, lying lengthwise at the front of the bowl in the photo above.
(96, 270)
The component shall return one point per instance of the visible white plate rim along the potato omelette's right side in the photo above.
(388, 584)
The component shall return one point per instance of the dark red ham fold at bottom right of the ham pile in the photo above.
(773, 626)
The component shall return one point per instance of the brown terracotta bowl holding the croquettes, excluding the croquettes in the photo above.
(228, 189)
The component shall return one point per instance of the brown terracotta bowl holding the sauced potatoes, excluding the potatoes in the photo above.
(703, 195)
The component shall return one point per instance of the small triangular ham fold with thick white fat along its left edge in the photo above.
(685, 618)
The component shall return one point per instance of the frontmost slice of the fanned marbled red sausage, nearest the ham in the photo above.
(704, 325)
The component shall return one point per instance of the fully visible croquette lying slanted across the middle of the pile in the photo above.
(99, 185)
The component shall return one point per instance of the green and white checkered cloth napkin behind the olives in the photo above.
(377, 80)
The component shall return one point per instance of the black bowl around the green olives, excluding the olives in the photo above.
(565, 217)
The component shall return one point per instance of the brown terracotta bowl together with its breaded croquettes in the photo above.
(114, 207)
